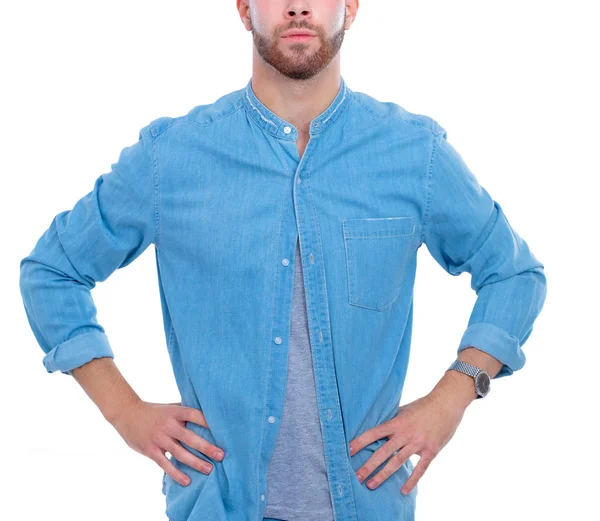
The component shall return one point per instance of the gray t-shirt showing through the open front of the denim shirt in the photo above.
(297, 486)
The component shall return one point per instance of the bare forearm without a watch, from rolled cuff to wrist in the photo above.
(106, 386)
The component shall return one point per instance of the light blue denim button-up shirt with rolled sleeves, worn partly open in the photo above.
(223, 194)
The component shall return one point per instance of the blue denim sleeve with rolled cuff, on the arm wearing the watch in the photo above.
(466, 230)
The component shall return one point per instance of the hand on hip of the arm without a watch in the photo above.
(154, 428)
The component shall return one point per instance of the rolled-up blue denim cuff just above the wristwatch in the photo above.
(496, 342)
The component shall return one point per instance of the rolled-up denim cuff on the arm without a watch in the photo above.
(77, 351)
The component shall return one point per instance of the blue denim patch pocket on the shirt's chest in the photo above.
(377, 250)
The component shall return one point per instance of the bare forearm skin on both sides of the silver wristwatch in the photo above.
(458, 387)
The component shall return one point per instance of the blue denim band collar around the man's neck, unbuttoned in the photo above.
(282, 129)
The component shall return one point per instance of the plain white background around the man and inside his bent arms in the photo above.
(514, 85)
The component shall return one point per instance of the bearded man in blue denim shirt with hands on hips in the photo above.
(286, 218)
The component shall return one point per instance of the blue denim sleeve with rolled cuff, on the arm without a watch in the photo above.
(105, 230)
